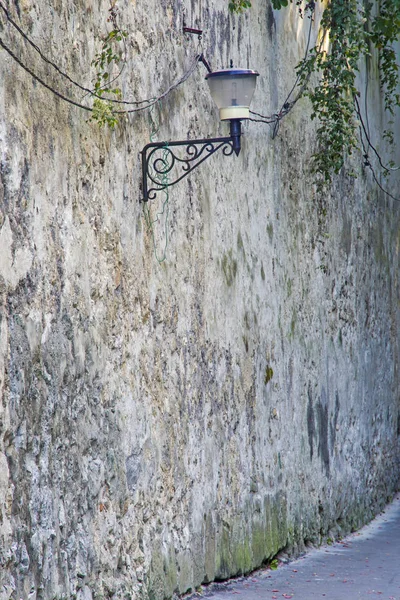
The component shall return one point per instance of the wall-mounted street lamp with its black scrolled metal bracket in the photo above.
(232, 91)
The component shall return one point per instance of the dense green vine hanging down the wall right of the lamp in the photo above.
(349, 32)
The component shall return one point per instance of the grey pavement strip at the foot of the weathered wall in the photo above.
(365, 565)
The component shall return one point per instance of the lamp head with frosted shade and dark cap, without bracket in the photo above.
(232, 91)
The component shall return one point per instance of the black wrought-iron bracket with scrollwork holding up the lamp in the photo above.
(159, 159)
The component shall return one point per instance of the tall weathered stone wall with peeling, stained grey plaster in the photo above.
(163, 425)
